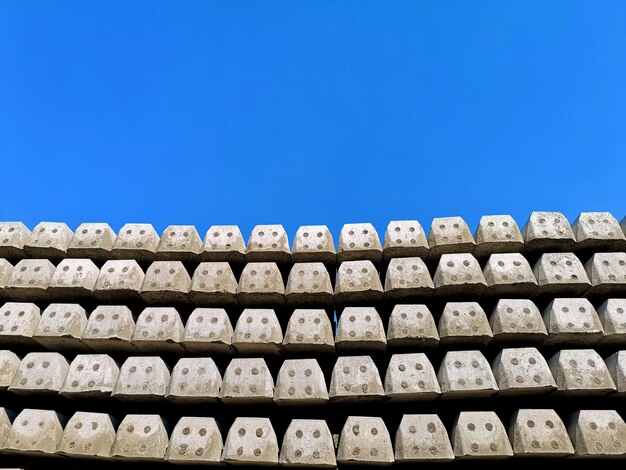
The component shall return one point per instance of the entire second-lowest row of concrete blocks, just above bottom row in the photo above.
(411, 376)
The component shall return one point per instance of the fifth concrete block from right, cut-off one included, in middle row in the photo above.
(412, 326)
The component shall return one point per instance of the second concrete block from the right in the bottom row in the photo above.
(539, 433)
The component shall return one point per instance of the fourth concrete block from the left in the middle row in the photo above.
(158, 329)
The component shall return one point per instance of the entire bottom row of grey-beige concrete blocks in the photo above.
(363, 440)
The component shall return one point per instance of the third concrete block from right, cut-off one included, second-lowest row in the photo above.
(522, 371)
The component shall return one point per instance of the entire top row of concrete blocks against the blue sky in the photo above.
(544, 231)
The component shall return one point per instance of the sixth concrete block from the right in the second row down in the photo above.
(357, 281)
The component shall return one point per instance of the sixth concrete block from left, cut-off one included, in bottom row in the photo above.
(251, 441)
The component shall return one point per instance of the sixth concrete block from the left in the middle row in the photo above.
(258, 332)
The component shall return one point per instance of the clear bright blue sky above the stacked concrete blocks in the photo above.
(324, 112)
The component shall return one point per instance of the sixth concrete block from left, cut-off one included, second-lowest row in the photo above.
(247, 381)
